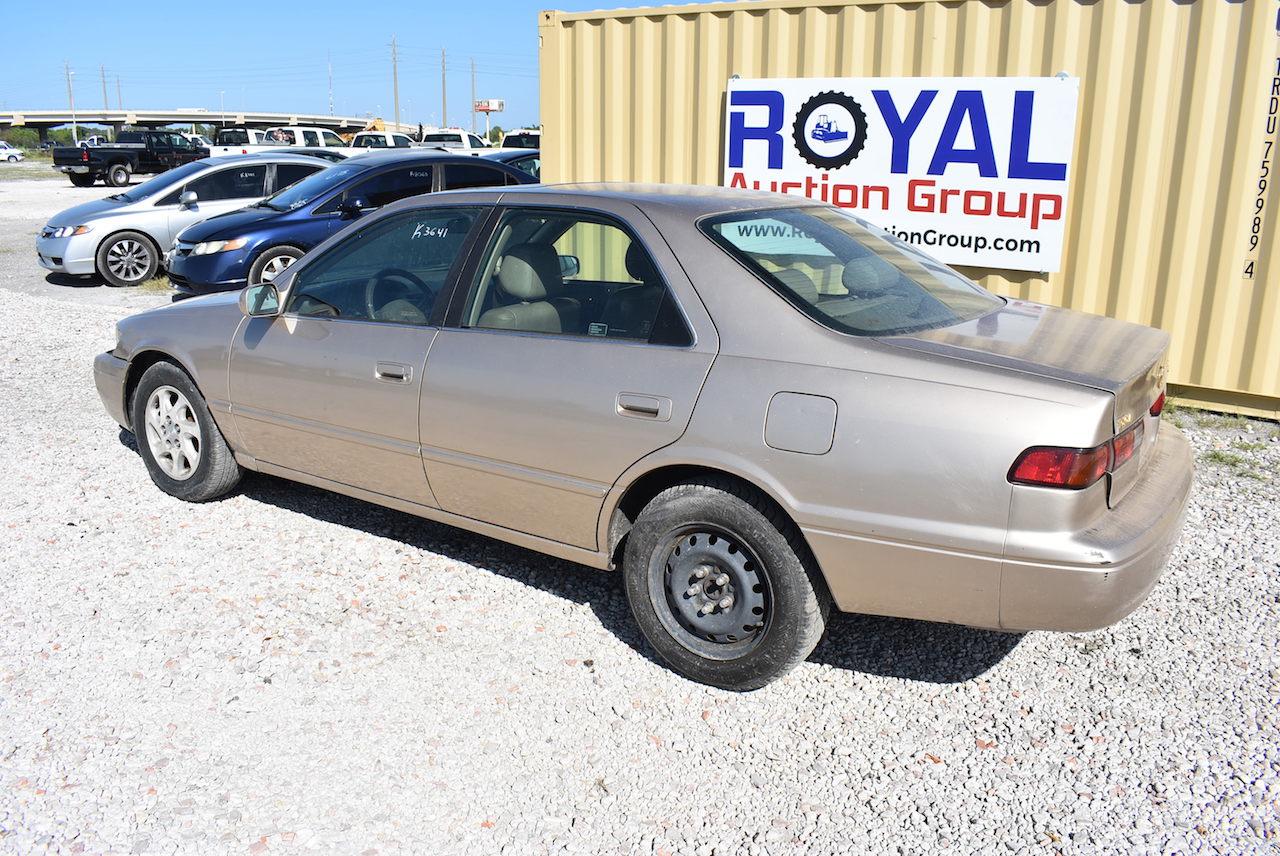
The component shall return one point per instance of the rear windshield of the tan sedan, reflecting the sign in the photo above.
(847, 274)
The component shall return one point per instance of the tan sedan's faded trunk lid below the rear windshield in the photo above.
(1127, 360)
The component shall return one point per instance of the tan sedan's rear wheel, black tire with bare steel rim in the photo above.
(749, 567)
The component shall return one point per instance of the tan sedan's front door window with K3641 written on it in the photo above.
(392, 271)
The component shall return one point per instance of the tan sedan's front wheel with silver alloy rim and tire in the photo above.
(172, 425)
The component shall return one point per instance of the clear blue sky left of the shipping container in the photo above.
(272, 56)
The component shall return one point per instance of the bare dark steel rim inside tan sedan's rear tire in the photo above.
(711, 592)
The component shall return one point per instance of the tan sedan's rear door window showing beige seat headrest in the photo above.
(573, 274)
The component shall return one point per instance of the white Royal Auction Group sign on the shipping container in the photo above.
(972, 171)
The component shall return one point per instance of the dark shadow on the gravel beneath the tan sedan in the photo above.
(894, 648)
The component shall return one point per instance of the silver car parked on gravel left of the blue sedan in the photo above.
(124, 237)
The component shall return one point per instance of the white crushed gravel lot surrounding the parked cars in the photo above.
(294, 672)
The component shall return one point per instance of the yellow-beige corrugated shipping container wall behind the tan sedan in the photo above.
(1173, 135)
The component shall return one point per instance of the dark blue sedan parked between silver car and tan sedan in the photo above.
(257, 244)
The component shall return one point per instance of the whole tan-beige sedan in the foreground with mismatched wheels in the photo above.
(756, 408)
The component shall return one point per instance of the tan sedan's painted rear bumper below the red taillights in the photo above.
(1072, 579)
